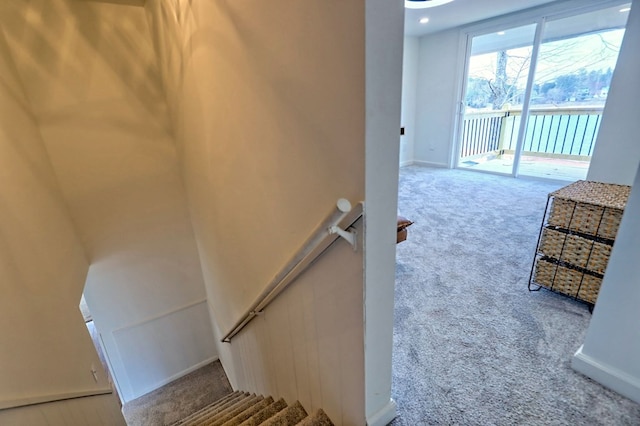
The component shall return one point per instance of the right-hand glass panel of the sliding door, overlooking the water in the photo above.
(575, 63)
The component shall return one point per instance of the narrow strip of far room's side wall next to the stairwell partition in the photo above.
(410, 57)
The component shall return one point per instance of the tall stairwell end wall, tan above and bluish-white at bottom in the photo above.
(90, 73)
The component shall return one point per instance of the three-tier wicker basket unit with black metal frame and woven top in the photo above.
(578, 230)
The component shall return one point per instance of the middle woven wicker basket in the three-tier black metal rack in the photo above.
(575, 250)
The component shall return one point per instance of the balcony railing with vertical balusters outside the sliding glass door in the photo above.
(559, 132)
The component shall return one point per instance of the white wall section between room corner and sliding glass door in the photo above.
(437, 97)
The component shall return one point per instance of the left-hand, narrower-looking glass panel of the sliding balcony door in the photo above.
(497, 73)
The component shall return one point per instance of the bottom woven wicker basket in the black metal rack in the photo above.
(568, 281)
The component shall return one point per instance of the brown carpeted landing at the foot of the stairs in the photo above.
(179, 398)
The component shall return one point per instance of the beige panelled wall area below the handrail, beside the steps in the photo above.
(307, 345)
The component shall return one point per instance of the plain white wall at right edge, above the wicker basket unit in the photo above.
(617, 152)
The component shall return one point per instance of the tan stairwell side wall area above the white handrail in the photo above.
(257, 188)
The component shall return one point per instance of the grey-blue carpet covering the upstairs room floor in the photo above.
(472, 346)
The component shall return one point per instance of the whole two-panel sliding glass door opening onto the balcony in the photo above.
(541, 124)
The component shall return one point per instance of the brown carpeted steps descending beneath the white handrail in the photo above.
(244, 409)
